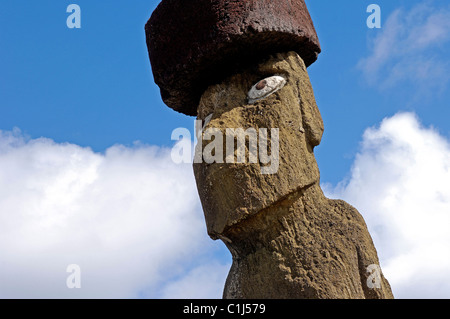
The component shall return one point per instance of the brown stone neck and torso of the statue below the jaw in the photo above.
(304, 246)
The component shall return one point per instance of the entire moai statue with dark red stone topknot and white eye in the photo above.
(241, 64)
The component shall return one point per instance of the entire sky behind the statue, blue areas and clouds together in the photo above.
(89, 94)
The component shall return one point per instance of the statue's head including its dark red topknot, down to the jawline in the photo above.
(206, 56)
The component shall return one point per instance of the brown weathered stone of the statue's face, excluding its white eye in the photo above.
(231, 192)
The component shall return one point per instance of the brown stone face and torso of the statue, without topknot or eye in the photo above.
(286, 238)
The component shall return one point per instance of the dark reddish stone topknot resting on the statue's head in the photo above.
(195, 43)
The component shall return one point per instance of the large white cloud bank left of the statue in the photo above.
(130, 218)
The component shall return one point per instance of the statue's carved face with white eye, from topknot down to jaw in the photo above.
(274, 97)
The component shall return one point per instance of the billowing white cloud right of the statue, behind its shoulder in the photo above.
(400, 182)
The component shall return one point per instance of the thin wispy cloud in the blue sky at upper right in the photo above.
(412, 48)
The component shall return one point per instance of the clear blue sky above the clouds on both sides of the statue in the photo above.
(93, 86)
